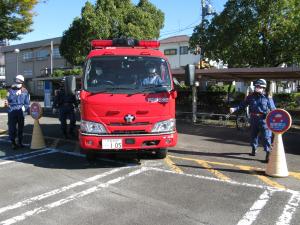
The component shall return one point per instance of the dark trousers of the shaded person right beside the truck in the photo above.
(64, 114)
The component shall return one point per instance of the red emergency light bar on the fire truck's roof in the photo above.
(122, 42)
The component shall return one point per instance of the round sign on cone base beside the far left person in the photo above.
(37, 141)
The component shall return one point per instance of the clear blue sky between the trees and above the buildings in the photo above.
(55, 16)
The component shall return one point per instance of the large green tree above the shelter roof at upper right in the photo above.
(252, 33)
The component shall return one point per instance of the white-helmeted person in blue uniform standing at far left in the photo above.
(18, 101)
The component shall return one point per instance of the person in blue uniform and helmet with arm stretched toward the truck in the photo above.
(259, 106)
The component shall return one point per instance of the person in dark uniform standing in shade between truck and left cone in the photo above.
(66, 105)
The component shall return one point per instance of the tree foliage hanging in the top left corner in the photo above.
(15, 18)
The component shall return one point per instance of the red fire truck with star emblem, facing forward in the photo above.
(127, 99)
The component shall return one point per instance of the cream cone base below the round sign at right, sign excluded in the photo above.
(277, 166)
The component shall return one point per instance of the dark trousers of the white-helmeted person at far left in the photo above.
(16, 125)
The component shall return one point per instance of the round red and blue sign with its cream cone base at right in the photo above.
(278, 121)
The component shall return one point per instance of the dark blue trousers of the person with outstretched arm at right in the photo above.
(258, 125)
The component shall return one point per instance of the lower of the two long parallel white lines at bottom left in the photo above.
(70, 198)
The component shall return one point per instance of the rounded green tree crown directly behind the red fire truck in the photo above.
(109, 19)
